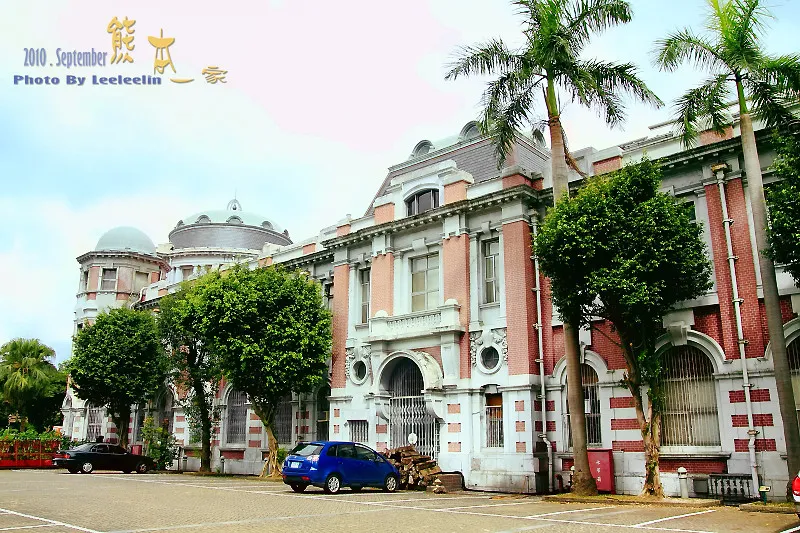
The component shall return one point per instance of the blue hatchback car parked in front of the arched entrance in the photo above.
(333, 465)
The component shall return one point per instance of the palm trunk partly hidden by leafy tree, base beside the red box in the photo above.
(583, 482)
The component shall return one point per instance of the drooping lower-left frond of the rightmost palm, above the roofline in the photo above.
(701, 106)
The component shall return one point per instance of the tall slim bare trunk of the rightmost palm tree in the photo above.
(780, 361)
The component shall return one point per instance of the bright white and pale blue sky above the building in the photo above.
(320, 99)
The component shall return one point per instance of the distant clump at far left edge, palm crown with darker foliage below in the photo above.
(28, 376)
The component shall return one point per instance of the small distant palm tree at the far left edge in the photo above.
(25, 373)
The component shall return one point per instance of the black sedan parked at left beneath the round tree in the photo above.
(87, 458)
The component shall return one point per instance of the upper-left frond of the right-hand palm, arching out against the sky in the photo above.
(686, 46)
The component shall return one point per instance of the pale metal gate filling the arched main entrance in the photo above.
(407, 412)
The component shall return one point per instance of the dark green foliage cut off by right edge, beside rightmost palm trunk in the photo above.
(784, 206)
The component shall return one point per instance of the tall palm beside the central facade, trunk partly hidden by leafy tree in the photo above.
(556, 34)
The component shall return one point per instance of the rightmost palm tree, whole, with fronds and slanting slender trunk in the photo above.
(732, 54)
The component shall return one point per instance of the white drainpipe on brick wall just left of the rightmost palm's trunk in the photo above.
(719, 172)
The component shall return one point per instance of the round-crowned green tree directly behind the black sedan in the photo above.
(118, 362)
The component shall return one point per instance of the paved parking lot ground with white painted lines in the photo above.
(56, 502)
